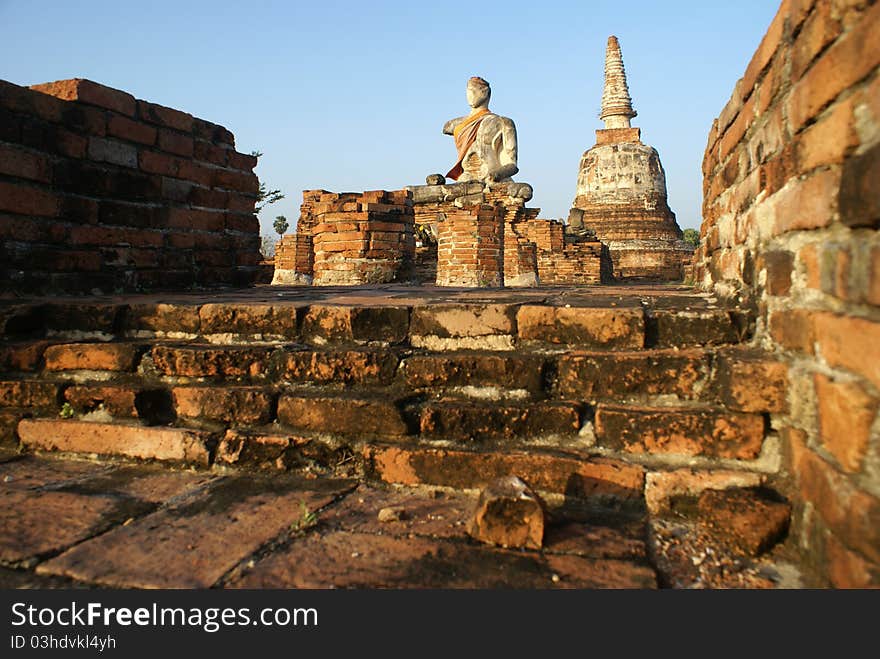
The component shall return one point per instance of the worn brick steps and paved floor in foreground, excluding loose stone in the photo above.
(264, 430)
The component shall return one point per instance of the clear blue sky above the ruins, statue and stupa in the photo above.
(351, 96)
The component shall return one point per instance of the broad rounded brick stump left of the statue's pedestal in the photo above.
(364, 238)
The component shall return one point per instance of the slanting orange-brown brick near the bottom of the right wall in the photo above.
(850, 513)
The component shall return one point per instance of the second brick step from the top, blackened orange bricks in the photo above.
(711, 374)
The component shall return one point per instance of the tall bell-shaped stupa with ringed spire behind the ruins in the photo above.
(621, 190)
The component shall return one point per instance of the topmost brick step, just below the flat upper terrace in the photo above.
(604, 324)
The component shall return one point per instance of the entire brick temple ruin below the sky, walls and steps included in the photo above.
(725, 434)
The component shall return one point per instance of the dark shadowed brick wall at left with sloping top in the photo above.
(99, 190)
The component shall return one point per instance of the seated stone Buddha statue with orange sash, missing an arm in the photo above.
(486, 142)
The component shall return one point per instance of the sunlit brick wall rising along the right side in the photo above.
(790, 225)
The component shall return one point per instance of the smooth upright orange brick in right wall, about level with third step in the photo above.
(846, 413)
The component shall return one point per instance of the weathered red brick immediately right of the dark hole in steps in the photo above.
(229, 404)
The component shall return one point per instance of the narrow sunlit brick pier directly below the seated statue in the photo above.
(470, 247)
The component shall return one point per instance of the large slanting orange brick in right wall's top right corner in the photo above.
(848, 60)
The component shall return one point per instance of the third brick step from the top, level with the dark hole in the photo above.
(695, 430)
